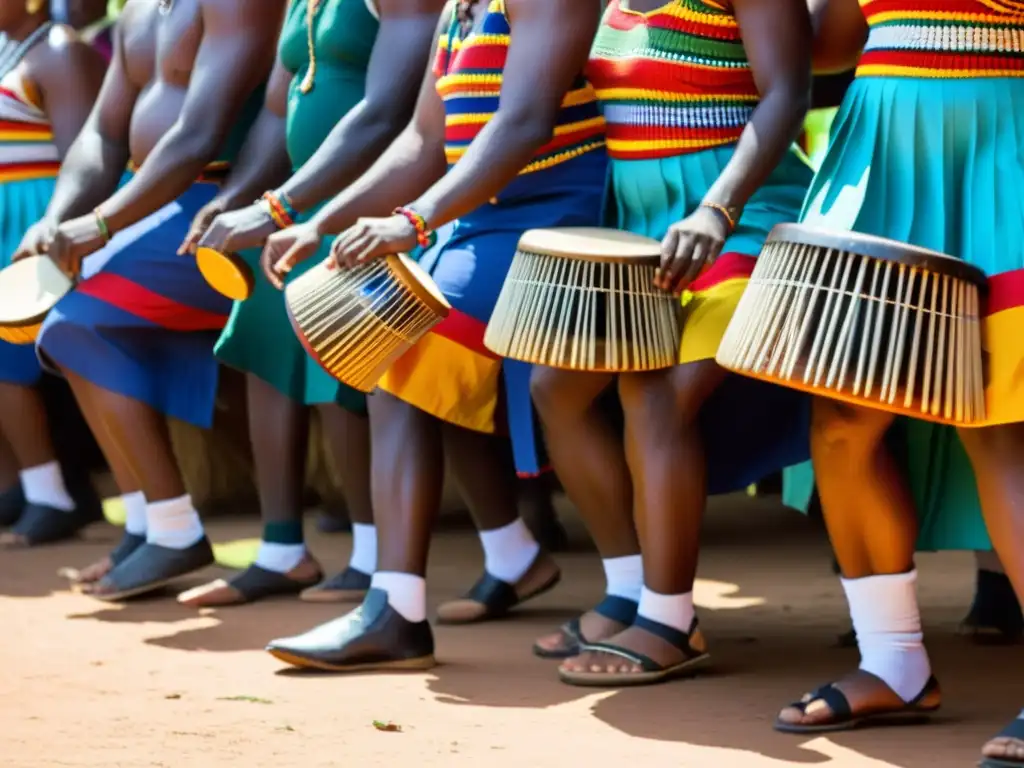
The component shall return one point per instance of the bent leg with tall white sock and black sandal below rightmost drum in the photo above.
(873, 527)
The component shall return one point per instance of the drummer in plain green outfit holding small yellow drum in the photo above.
(325, 120)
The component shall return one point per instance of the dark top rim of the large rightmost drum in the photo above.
(884, 249)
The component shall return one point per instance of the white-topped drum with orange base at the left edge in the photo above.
(29, 289)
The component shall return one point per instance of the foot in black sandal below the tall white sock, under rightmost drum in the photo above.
(868, 697)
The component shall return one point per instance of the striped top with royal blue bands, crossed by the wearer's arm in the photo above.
(470, 80)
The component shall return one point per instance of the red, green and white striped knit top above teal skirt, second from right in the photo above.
(672, 81)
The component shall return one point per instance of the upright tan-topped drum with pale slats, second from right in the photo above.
(584, 300)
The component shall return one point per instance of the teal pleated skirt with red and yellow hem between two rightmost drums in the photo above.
(751, 430)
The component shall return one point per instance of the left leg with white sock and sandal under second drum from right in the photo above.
(587, 453)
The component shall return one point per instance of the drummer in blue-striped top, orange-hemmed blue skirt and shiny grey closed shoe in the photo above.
(505, 174)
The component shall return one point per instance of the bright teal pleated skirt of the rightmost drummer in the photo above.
(937, 164)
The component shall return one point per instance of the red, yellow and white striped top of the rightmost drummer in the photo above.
(944, 38)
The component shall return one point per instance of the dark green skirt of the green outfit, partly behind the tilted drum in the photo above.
(260, 340)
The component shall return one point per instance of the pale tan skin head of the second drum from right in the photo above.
(591, 244)
